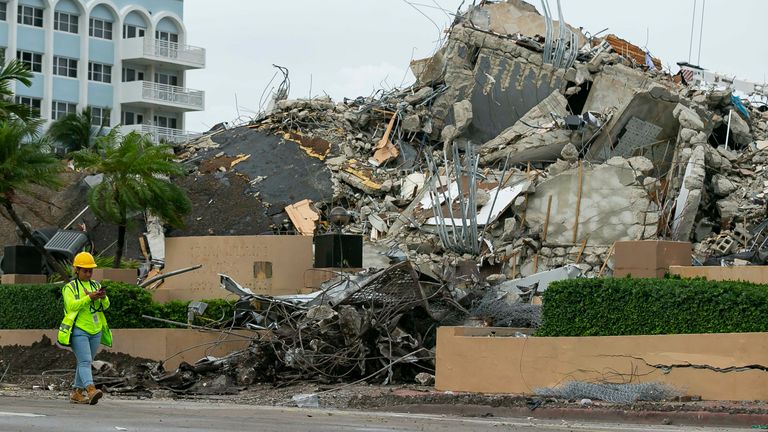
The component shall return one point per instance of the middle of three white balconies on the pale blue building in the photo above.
(145, 94)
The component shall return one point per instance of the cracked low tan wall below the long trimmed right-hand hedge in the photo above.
(713, 366)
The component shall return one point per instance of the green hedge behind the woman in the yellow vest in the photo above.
(41, 307)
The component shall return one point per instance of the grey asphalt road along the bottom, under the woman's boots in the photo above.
(20, 414)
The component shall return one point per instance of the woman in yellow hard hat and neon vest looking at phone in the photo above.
(84, 326)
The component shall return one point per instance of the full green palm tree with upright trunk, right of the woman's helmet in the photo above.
(135, 179)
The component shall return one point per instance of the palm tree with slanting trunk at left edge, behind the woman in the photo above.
(24, 163)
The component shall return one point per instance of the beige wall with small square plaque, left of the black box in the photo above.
(235, 256)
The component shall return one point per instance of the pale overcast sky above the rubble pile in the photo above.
(348, 48)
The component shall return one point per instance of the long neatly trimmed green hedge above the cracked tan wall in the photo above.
(625, 306)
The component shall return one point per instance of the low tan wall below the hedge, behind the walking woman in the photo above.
(154, 344)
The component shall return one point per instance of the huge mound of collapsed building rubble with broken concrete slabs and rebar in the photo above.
(600, 149)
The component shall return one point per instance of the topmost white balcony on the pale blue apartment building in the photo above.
(149, 50)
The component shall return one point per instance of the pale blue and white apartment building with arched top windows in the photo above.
(126, 59)
